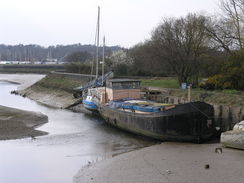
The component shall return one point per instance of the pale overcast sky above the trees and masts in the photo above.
(124, 22)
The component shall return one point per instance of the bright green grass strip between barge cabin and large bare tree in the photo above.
(161, 82)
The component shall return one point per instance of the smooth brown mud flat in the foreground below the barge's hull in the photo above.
(169, 162)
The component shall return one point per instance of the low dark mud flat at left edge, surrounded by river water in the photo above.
(15, 123)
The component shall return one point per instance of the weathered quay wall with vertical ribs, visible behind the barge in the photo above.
(225, 116)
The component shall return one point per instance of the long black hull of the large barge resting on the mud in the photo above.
(190, 122)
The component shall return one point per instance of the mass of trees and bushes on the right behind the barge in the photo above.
(193, 47)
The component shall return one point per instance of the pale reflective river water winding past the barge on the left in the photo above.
(75, 140)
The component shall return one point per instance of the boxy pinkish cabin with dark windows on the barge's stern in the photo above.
(123, 88)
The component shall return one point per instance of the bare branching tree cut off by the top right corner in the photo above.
(228, 31)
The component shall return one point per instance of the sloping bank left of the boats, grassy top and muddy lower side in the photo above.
(54, 90)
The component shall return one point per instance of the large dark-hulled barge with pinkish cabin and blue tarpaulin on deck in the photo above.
(120, 105)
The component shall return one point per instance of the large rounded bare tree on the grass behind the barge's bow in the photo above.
(181, 42)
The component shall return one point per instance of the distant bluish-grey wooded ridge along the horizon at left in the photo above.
(34, 52)
